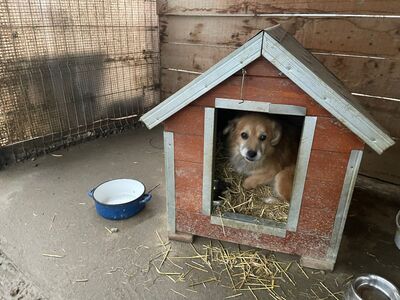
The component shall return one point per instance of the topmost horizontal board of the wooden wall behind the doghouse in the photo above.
(278, 6)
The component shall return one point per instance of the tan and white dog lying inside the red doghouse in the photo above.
(265, 151)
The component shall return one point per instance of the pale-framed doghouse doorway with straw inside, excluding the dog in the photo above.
(224, 197)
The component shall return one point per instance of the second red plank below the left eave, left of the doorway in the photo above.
(188, 147)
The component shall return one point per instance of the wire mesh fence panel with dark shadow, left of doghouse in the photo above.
(70, 68)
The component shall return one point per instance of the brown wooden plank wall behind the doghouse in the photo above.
(359, 41)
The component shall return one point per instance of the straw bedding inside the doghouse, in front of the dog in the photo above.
(236, 199)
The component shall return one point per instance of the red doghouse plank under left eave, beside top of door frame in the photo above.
(189, 120)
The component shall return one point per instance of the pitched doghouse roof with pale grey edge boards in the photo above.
(299, 65)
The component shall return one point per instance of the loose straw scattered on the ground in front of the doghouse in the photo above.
(244, 273)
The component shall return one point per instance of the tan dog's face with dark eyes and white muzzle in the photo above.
(253, 136)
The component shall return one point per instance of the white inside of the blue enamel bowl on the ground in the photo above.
(118, 191)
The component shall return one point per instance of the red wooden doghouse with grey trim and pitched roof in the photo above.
(274, 74)
